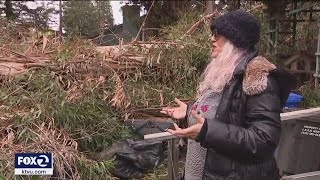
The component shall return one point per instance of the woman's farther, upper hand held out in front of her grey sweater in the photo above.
(176, 112)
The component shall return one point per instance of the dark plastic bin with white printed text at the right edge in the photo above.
(299, 146)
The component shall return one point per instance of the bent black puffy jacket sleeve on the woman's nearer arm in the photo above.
(260, 135)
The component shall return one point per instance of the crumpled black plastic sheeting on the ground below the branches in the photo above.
(134, 158)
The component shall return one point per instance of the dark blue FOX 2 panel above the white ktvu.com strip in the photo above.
(33, 160)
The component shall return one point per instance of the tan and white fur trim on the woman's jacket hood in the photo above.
(256, 75)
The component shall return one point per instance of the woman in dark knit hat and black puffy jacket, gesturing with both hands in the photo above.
(234, 126)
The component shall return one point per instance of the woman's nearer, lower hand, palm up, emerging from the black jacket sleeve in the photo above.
(191, 132)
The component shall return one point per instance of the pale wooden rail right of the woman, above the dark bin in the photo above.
(300, 114)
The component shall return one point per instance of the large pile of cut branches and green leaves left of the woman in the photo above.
(70, 97)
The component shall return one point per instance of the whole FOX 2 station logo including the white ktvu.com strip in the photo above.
(33, 164)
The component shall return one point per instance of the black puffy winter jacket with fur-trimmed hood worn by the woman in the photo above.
(245, 132)
